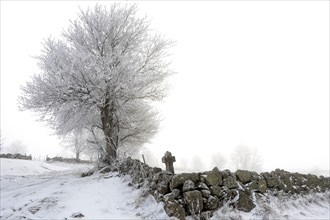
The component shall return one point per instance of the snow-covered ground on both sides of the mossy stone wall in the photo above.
(40, 190)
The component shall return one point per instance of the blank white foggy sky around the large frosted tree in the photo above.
(248, 72)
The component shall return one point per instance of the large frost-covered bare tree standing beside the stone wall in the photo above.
(102, 75)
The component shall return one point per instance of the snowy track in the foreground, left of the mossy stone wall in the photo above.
(57, 195)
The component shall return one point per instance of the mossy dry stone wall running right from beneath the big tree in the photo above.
(200, 194)
